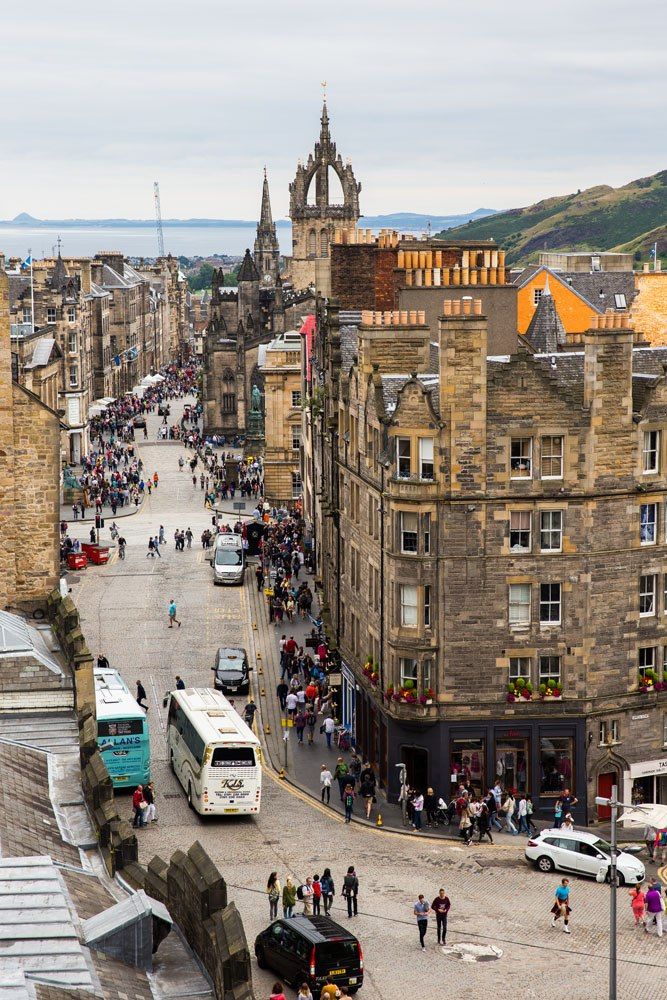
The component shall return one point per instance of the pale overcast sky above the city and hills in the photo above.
(441, 106)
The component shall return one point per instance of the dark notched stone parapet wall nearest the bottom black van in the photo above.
(195, 893)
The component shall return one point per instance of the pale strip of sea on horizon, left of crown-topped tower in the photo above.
(134, 241)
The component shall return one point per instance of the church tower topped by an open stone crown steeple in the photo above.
(314, 219)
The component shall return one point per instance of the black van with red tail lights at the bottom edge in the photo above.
(309, 950)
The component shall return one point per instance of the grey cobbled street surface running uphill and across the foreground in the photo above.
(496, 898)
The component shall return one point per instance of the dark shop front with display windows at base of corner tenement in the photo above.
(537, 757)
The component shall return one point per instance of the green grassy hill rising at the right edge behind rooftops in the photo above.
(599, 218)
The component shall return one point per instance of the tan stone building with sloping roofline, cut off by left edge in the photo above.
(29, 482)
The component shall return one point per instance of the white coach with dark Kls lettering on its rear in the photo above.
(213, 753)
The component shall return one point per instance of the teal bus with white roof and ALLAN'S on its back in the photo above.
(123, 737)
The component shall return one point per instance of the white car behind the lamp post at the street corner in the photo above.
(582, 853)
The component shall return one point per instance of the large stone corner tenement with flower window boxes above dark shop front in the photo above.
(492, 540)
